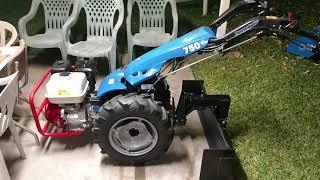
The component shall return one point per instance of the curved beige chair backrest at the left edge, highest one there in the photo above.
(6, 27)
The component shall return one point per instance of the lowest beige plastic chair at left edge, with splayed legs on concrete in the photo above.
(8, 97)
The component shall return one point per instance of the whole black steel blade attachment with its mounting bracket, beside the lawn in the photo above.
(219, 159)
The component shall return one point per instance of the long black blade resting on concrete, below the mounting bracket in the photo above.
(218, 161)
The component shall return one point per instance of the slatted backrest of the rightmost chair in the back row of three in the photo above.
(152, 14)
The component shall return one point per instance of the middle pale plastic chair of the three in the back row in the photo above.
(101, 32)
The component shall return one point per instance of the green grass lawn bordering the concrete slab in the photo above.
(274, 122)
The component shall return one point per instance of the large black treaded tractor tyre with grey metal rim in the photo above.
(133, 129)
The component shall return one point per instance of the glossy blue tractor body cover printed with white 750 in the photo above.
(149, 65)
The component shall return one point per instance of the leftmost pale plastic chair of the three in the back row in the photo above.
(56, 14)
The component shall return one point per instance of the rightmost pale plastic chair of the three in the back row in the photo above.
(152, 24)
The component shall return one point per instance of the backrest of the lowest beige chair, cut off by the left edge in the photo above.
(8, 97)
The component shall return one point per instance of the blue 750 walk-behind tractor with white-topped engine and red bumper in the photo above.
(132, 115)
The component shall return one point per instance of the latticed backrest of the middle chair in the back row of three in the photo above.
(100, 16)
